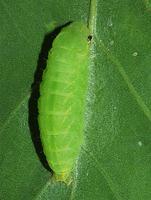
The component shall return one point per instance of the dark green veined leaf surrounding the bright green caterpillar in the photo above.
(114, 163)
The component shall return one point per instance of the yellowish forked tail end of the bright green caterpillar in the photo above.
(63, 177)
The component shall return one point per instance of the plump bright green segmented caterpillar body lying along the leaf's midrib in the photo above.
(62, 99)
